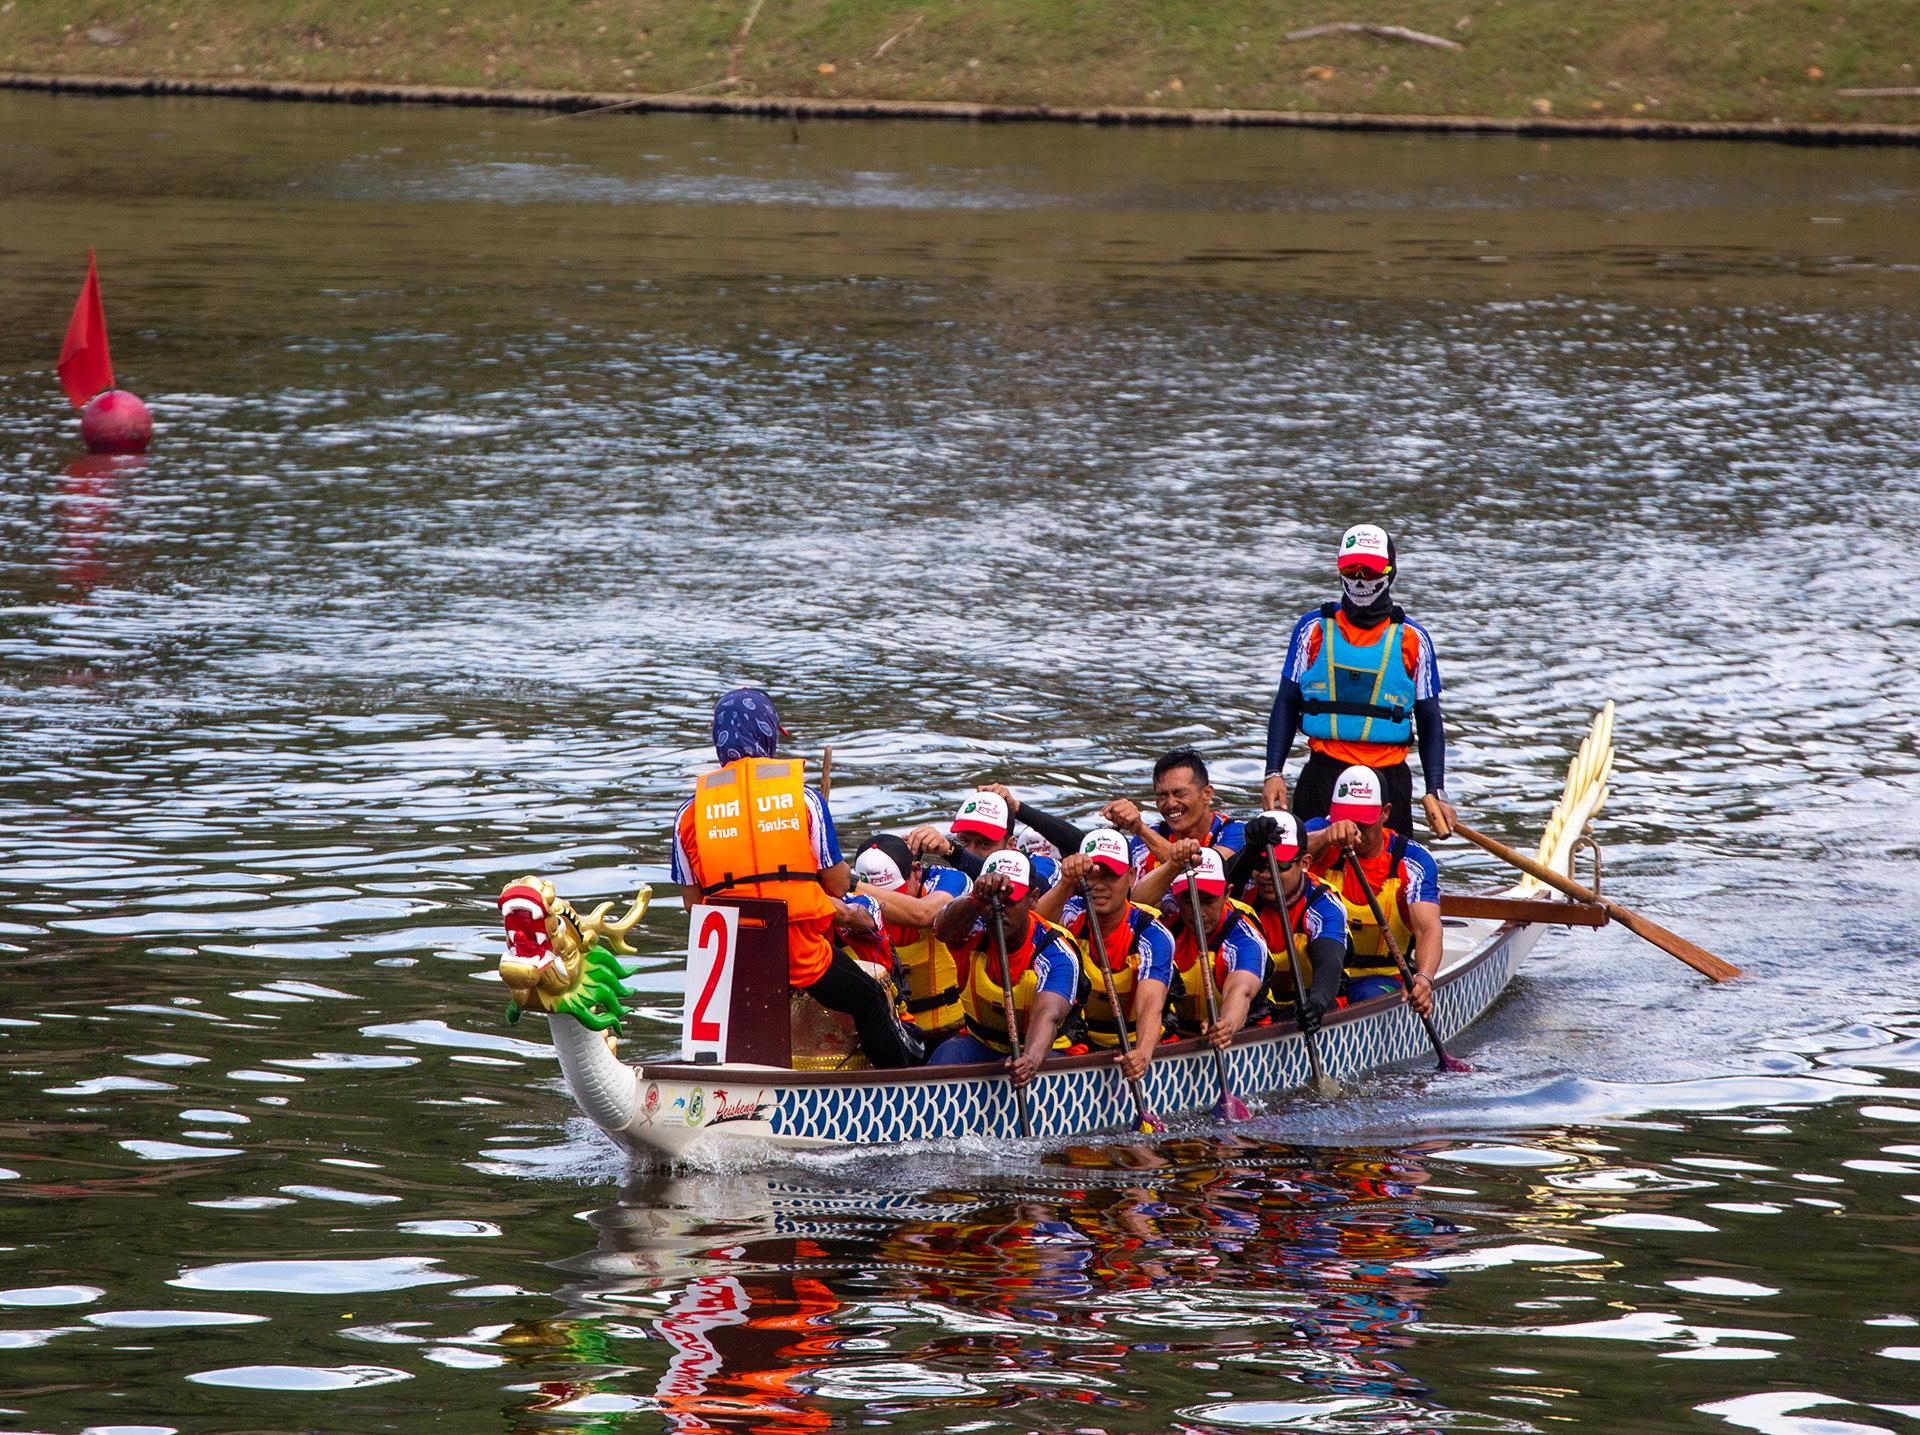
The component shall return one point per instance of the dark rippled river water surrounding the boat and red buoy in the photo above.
(491, 450)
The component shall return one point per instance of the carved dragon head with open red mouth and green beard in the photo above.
(560, 960)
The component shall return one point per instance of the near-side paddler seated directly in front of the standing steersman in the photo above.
(1406, 885)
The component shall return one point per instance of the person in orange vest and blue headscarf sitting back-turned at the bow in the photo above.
(756, 829)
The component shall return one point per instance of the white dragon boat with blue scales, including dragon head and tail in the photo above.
(567, 967)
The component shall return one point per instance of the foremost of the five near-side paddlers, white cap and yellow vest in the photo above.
(1042, 963)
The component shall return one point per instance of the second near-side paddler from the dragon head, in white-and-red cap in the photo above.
(1140, 950)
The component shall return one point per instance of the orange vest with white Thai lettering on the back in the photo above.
(752, 840)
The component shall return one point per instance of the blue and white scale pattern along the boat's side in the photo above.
(1097, 1100)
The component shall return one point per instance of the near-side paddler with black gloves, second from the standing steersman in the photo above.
(1316, 915)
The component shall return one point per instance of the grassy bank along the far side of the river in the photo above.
(1754, 61)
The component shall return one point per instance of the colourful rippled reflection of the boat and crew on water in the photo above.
(1116, 1277)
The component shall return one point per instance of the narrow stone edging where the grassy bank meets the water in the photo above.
(775, 107)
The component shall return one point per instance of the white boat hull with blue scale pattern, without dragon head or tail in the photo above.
(681, 1106)
